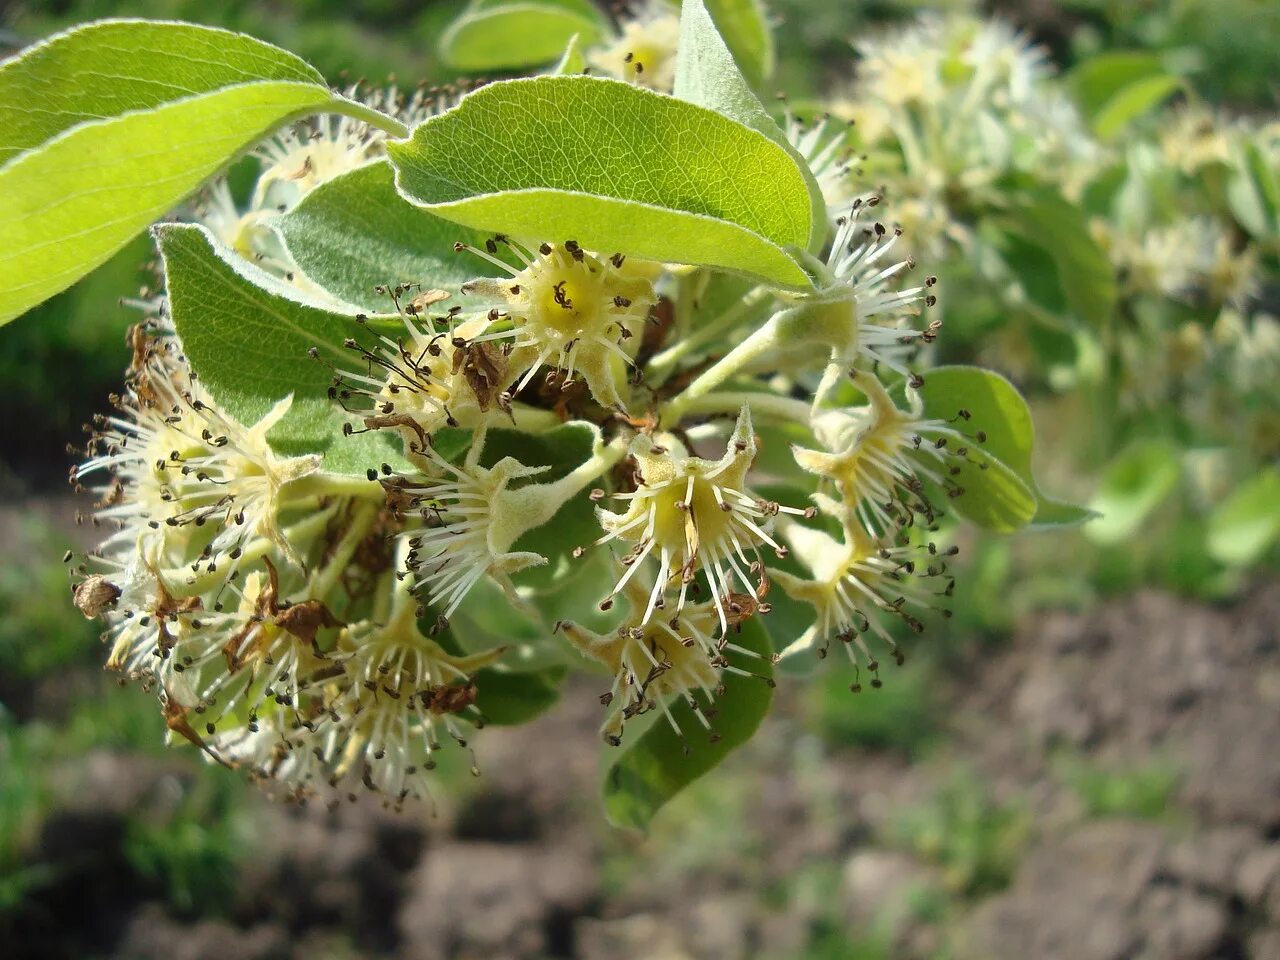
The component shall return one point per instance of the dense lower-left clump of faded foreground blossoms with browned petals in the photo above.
(227, 579)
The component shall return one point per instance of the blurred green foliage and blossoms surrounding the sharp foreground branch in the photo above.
(1124, 277)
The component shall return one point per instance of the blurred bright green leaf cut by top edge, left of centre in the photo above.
(500, 35)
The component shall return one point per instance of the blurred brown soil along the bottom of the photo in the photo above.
(525, 867)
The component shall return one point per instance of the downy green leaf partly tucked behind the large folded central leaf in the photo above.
(356, 232)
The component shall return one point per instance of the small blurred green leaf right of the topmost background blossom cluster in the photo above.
(1118, 88)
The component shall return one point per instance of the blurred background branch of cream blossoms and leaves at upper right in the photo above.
(995, 168)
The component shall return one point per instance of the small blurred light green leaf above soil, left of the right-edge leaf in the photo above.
(1136, 483)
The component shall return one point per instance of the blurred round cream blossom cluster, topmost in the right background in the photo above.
(947, 107)
